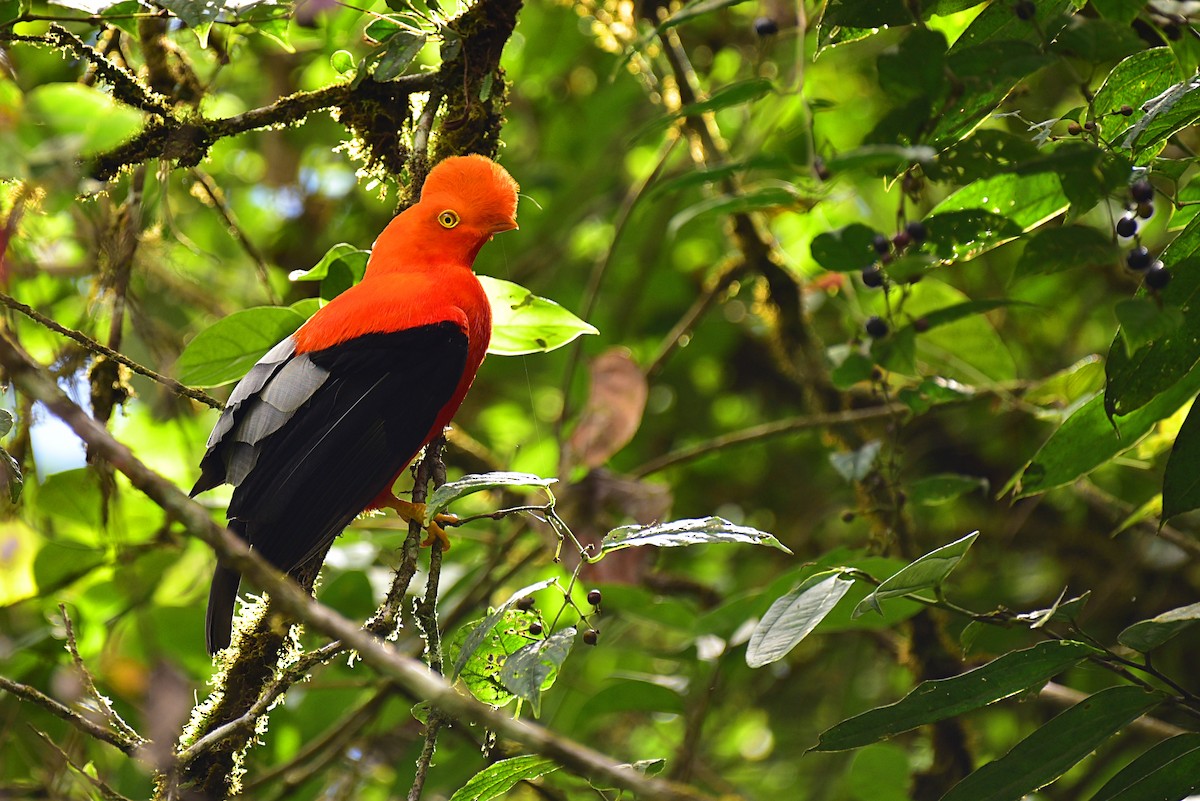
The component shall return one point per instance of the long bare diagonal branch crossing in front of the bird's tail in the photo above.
(415, 678)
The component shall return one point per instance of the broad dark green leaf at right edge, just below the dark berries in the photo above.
(1136, 380)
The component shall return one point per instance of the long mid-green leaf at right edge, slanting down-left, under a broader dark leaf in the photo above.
(1088, 439)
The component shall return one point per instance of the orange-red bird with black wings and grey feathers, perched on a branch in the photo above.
(325, 425)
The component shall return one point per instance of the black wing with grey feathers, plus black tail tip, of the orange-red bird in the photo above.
(310, 441)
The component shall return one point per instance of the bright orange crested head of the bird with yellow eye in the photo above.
(470, 198)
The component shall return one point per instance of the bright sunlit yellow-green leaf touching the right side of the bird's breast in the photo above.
(524, 323)
